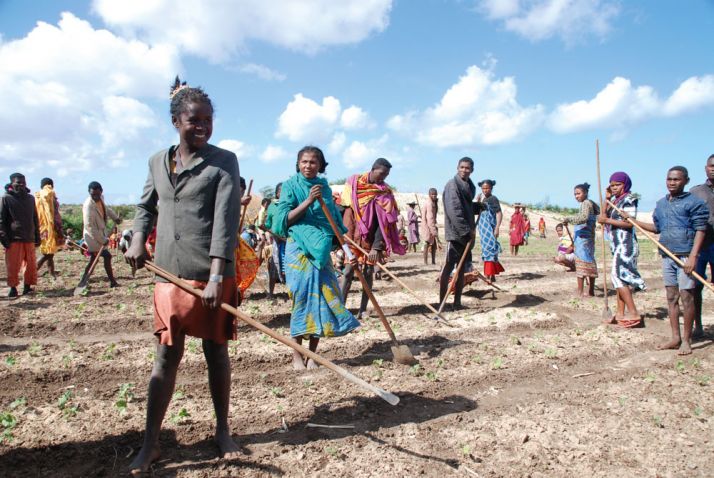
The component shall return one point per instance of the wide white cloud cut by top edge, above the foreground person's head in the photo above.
(218, 29)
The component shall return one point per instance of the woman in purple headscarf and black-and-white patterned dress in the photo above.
(625, 249)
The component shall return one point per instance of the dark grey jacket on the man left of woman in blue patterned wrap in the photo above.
(459, 211)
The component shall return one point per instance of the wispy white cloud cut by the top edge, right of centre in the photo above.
(536, 20)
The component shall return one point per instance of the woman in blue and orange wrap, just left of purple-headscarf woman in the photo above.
(584, 237)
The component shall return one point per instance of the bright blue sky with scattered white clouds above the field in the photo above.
(524, 87)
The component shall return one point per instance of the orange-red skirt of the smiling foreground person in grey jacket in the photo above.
(178, 312)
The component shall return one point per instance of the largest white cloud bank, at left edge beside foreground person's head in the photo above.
(79, 97)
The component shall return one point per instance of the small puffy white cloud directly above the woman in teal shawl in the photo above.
(306, 120)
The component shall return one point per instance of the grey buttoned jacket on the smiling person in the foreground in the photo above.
(199, 217)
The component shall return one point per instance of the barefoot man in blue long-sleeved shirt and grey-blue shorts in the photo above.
(680, 219)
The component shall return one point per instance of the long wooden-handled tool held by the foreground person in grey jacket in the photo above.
(383, 394)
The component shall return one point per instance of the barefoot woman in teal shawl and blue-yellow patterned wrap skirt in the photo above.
(317, 310)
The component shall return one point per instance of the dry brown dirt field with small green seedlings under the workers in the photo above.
(527, 382)
